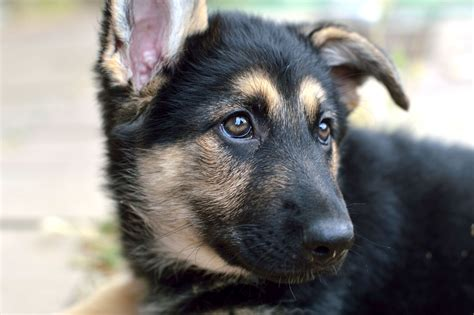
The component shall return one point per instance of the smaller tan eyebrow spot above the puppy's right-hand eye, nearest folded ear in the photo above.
(311, 95)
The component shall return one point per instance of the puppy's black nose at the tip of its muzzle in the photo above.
(327, 239)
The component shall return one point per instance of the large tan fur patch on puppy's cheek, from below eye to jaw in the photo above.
(168, 180)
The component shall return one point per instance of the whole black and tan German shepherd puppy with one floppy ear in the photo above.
(240, 188)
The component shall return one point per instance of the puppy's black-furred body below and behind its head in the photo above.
(412, 212)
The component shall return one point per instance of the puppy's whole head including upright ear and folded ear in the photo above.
(223, 136)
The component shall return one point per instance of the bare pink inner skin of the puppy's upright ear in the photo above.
(151, 21)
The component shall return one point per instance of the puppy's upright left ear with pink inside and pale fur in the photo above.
(140, 37)
